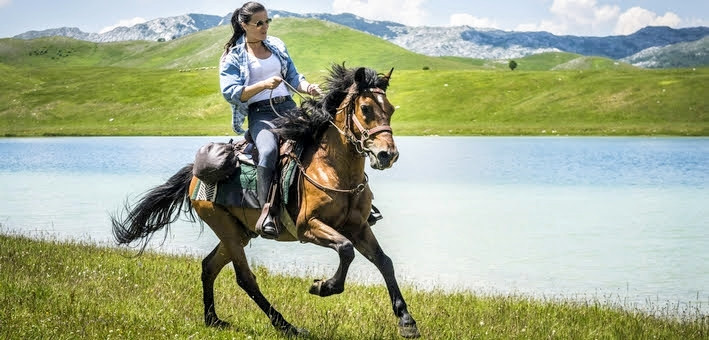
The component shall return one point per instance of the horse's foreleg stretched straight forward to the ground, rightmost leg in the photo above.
(367, 244)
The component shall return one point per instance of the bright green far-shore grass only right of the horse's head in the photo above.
(568, 102)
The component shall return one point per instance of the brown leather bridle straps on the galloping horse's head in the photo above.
(351, 119)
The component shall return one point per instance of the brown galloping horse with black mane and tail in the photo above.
(331, 198)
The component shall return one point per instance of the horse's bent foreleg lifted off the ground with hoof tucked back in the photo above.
(321, 234)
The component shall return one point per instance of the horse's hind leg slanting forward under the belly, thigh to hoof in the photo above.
(233, 238)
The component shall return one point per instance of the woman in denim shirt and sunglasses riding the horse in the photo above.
(253, 69)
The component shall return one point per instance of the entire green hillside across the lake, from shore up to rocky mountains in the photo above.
(58, 86)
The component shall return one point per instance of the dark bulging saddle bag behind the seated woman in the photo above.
(215, 162)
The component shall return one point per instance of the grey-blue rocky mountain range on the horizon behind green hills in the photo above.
(461, 41)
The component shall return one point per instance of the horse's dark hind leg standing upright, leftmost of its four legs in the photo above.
(211, 266)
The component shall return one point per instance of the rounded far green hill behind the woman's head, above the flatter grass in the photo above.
(315, 43)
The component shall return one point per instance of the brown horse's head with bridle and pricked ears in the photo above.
(368, 118)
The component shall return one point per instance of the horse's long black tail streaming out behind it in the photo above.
(155, 210)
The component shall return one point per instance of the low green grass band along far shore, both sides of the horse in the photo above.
(123, 101)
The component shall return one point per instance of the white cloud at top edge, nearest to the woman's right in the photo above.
(407, 12)
